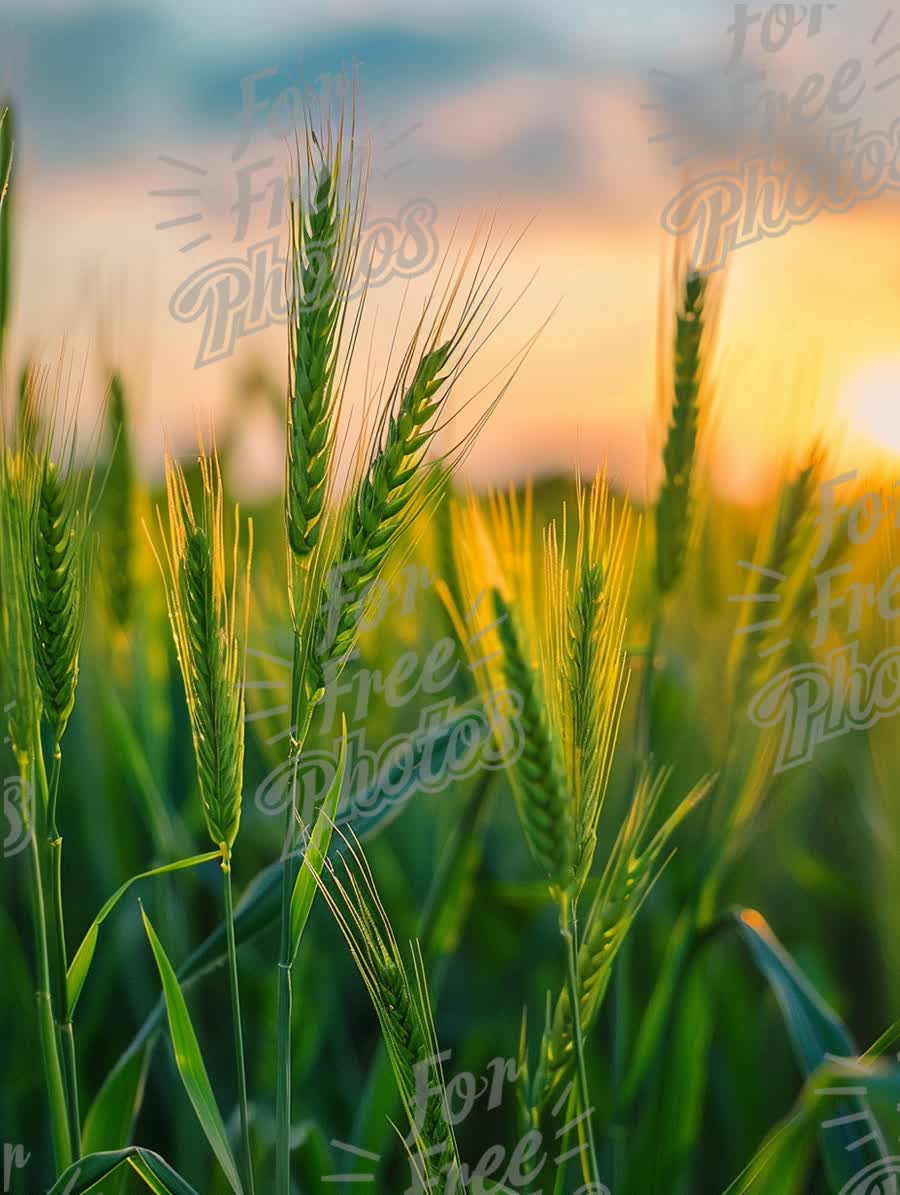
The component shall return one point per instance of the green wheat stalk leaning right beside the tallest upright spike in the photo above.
(394, 486)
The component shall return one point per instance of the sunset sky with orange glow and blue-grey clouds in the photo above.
(540, 114)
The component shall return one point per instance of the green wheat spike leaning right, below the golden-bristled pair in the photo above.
(627, 880)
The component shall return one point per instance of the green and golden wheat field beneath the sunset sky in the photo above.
(395, 837)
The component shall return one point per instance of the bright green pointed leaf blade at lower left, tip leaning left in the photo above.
(191, 1064)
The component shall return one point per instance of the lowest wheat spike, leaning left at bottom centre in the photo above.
(402, 1006)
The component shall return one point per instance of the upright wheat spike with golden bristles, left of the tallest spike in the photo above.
(204, 612)
